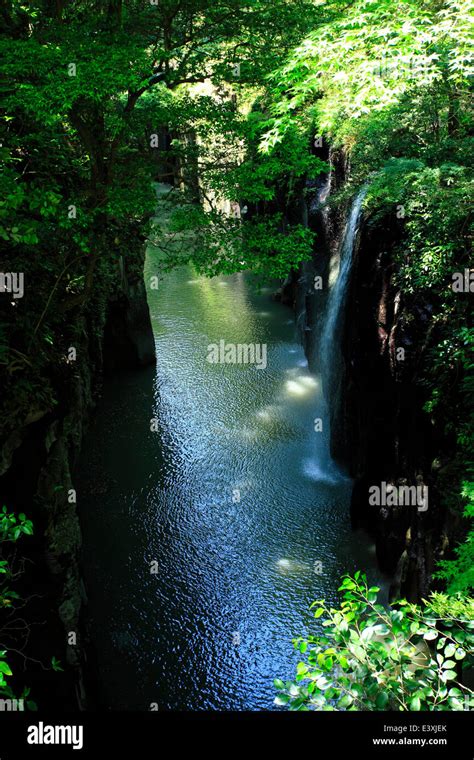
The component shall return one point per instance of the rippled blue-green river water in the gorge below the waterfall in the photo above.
(207, 537)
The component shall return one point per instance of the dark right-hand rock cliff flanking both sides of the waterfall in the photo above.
(379, 431)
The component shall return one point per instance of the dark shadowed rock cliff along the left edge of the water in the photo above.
(37, 476)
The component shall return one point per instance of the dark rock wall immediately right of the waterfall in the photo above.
(379, 429)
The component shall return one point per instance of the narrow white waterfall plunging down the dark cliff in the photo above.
(329, 348)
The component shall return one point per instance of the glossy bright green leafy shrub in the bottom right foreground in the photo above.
(406, 657)
